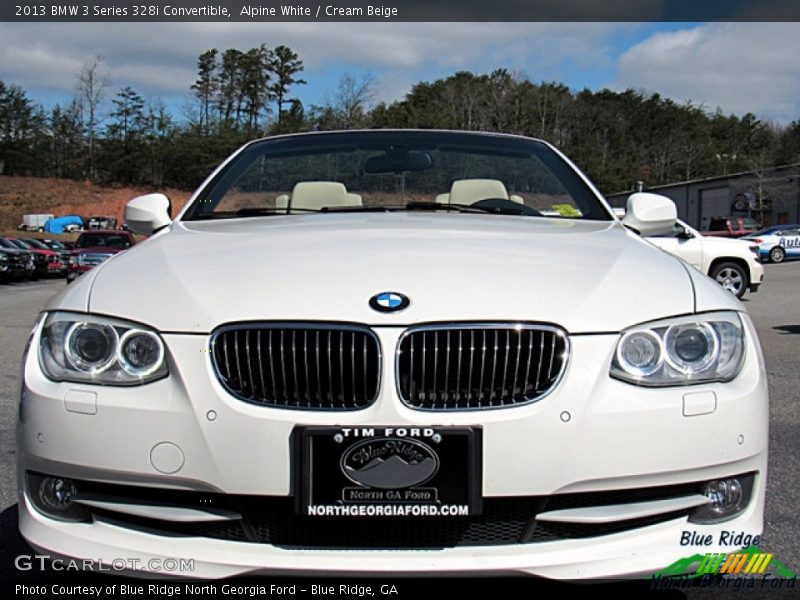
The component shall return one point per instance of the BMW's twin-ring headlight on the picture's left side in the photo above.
(92, 349)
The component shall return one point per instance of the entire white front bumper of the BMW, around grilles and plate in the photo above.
(591, 434)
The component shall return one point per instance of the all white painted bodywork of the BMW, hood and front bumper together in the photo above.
(590, 434)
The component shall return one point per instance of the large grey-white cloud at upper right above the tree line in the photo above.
(740, 67)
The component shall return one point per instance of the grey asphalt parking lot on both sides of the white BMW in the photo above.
(775, 310)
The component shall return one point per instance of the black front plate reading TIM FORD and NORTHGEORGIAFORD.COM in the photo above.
(388, 471)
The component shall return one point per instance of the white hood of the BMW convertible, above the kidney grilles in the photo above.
(583, 276)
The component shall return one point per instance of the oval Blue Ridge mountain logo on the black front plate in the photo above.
(389, 463)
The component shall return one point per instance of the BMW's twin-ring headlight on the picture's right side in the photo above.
(681, 351)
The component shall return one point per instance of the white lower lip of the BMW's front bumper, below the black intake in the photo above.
(634, 554)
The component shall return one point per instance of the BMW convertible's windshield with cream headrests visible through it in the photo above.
(397, 170)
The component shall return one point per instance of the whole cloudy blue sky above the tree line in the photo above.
(740, 67)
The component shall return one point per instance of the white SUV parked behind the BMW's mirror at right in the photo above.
(732, 263)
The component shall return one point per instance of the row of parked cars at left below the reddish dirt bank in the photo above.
(29, 259)
